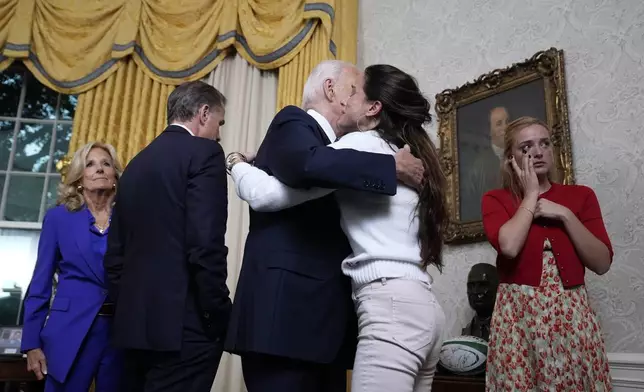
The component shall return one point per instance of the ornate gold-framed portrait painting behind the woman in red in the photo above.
(471, 123)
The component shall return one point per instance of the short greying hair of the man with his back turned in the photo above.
(185, 101)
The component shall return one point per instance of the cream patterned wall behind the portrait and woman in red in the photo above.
(447, 43)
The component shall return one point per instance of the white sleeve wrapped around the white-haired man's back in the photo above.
(266, 193)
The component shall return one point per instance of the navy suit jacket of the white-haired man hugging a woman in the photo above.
(292, 299)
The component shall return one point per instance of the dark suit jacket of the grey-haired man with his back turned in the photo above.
(166, 257)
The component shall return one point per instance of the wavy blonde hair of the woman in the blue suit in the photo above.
(68, 192)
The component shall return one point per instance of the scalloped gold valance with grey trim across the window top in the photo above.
(72, 46)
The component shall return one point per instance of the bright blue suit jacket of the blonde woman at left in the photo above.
(65, 245)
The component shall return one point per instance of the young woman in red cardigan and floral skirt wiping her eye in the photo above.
(544, 335)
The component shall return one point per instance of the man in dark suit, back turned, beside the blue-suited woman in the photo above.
(166, 257)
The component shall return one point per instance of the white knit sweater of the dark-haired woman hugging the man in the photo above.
(382, 230)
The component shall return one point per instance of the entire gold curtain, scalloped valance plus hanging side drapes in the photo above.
(122, 57)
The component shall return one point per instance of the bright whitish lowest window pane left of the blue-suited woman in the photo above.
(18, 253)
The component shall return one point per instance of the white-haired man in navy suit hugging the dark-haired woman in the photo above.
(292, 320)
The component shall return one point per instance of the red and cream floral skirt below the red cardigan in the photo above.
(545, 338)
